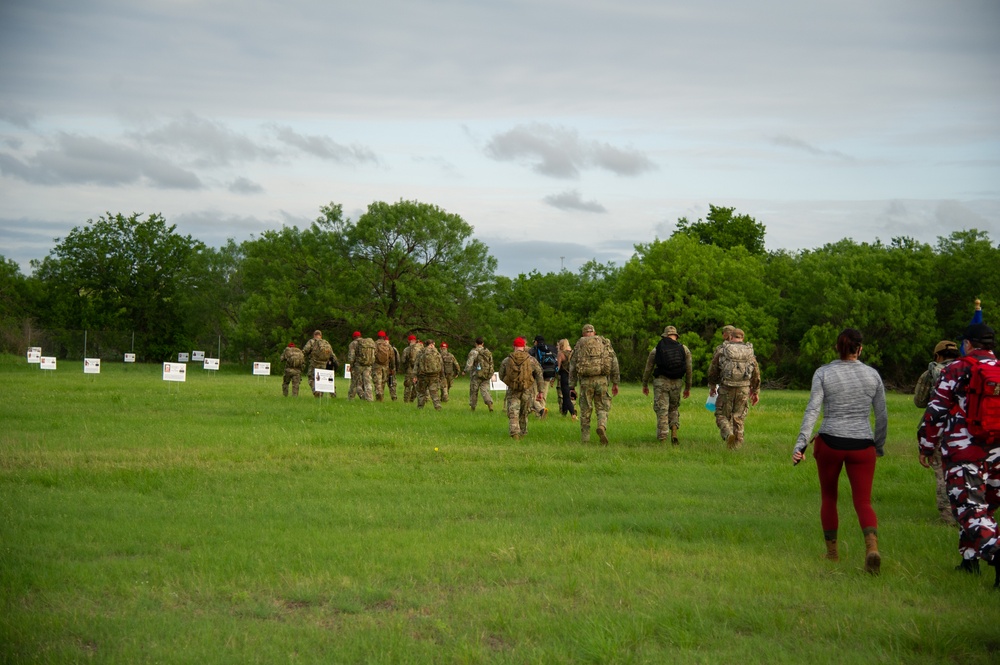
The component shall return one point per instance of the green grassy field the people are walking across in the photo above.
(214, 521)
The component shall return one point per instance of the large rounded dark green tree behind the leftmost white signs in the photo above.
(122, 273)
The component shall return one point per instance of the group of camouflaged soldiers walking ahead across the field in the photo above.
(428, 373)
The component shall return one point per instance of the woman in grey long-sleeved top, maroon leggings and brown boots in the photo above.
(847, 391)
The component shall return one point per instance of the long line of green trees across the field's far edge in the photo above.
(412, 268)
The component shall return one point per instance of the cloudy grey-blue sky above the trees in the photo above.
(561, 130)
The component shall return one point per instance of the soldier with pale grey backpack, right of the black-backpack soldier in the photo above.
(734, 369)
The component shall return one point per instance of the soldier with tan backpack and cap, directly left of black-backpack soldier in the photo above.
(594, 364)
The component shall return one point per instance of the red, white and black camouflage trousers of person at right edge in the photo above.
(974, 490)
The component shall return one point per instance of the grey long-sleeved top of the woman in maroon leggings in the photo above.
(847, 392)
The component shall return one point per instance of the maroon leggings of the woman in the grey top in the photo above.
(860, 466)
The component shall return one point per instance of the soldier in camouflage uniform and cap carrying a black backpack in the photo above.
(667, 383)
